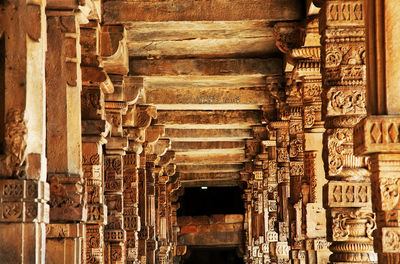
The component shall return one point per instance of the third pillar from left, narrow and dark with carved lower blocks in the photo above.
(95, 83)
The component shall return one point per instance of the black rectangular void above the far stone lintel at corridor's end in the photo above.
(213, 200)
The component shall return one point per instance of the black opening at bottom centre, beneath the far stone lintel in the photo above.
(212, 256)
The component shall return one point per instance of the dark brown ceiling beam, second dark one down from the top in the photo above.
(237, 66)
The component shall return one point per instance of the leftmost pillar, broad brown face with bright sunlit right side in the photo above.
(23, 188)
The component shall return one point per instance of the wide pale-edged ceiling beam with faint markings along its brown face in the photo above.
(206, 92)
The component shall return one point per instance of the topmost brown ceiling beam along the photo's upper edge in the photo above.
(116, 12)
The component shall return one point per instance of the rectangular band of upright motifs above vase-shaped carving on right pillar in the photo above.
(349, 194)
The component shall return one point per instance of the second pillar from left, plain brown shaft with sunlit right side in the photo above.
(68, 205)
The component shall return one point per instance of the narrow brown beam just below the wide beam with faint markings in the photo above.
(199, 119)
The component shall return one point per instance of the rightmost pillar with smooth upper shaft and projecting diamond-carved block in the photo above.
(377, 136)
